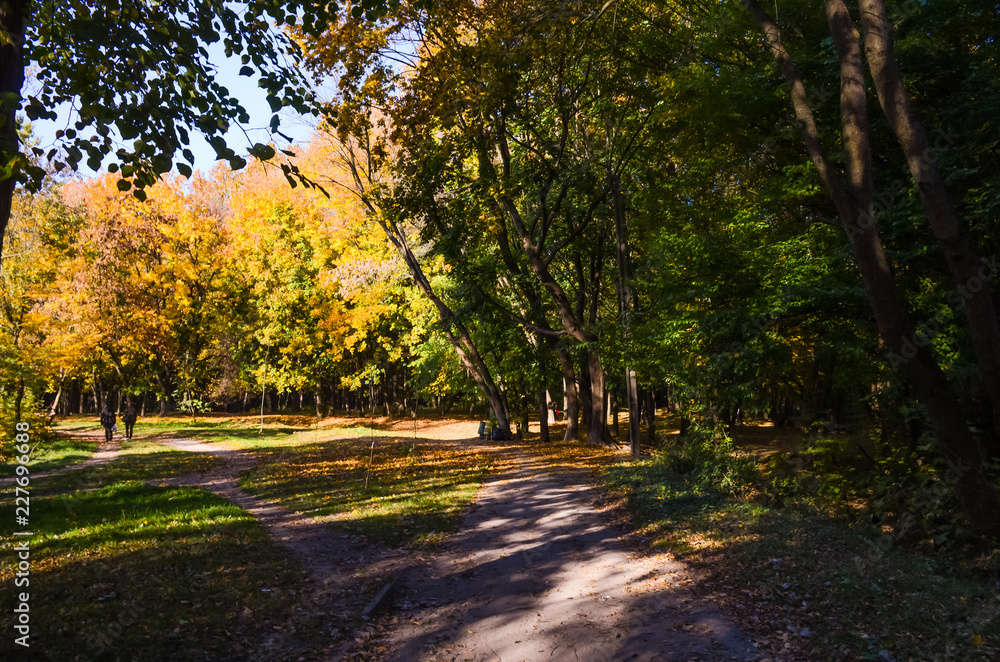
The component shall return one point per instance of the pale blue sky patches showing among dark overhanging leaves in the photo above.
(241, 87)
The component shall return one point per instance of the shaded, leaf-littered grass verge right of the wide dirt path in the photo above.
(814, 586)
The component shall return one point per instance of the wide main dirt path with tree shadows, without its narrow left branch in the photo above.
(535, 573)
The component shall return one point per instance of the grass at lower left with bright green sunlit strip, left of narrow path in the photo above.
(134, 572)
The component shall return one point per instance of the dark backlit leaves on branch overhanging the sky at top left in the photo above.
(140, 80)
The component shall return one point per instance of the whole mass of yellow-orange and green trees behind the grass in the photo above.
(714, 212)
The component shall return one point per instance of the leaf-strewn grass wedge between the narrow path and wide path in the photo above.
(414, 493)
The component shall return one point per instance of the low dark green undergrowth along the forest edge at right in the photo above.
(906, 492)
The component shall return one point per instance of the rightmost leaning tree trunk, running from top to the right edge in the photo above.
(968, 271)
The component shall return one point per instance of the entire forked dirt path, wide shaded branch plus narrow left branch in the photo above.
(533, 573)
